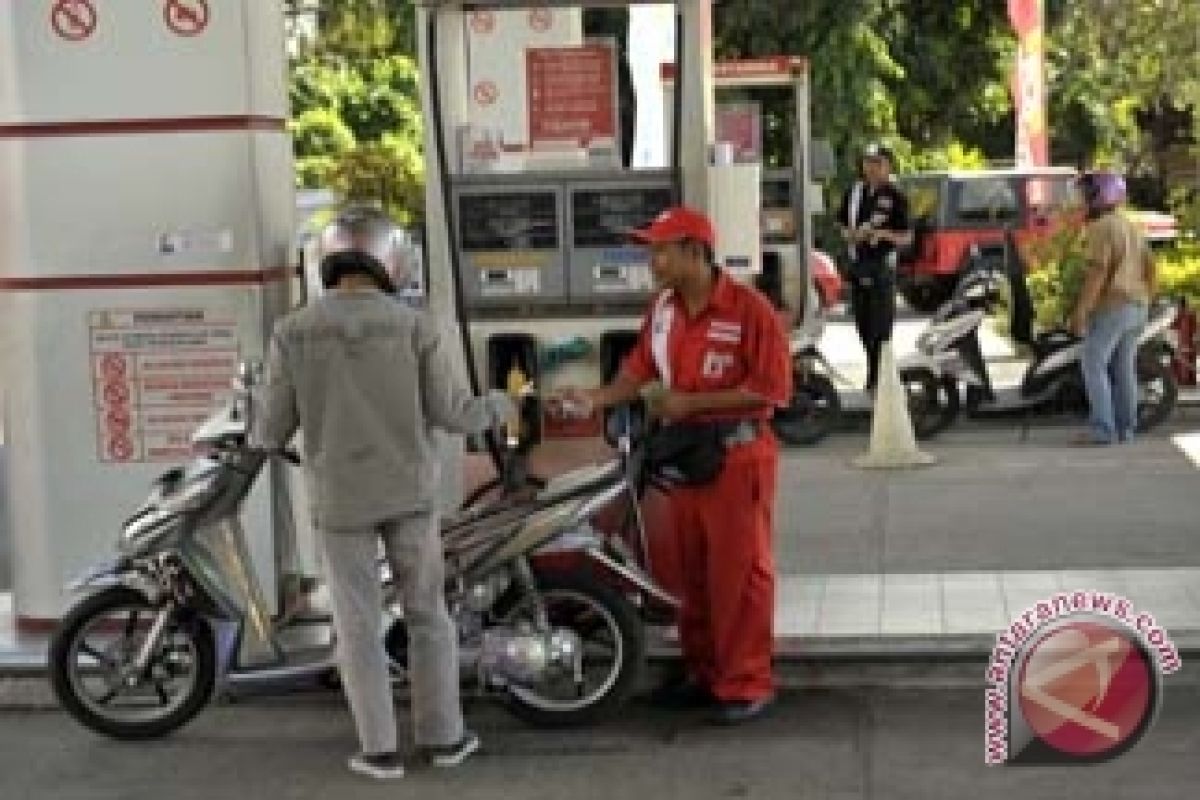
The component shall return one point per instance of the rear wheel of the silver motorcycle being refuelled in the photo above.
(614, 641)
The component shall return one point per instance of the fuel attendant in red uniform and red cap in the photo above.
(722, 356)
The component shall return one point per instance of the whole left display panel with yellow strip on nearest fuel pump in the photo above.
(511, 245)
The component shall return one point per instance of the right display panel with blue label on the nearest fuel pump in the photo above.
(604, 264)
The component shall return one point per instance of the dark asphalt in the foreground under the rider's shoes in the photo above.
(839, 744)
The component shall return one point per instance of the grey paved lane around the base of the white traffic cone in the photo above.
(994, 502)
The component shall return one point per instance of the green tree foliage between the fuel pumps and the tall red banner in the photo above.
(926, 76)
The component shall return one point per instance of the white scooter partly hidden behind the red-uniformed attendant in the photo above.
(815, 408)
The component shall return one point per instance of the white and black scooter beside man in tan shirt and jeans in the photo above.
(949, 356)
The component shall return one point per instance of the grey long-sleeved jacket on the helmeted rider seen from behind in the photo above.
(368, 380)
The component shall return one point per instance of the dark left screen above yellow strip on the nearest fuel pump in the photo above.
(508, 221)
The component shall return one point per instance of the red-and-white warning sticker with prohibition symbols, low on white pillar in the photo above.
(158, 375)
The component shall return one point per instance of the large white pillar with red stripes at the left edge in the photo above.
(146, 225)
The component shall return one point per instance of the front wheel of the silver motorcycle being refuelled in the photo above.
(89, 660)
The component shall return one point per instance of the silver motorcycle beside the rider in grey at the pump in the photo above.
(550, 609)
